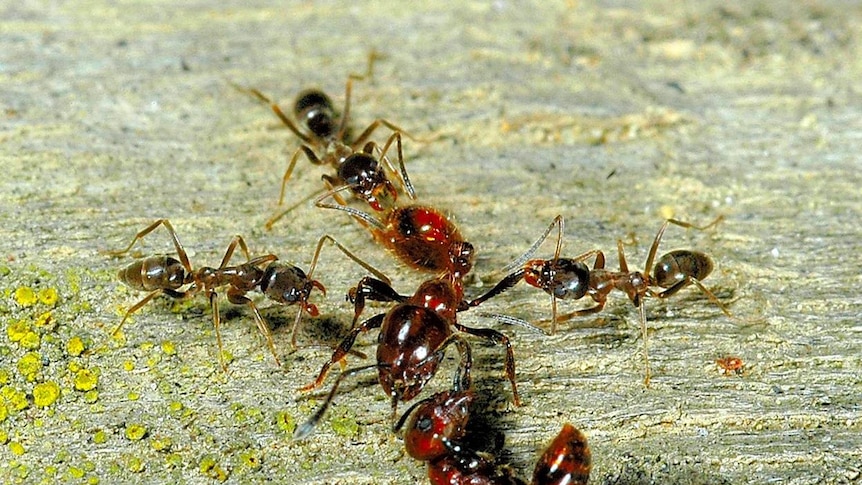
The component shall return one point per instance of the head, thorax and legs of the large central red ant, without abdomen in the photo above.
(412, 342)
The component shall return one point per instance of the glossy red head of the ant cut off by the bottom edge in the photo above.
(442, 417)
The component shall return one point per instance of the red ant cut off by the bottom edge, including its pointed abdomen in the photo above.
(435, 425)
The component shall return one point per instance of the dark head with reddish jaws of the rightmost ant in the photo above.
(563, 278)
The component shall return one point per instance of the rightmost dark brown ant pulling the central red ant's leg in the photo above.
(571, 279)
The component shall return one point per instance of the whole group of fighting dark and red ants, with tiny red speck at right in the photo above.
(361, 180)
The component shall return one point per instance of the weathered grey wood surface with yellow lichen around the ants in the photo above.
(615, 114)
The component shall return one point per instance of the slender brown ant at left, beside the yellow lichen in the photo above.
(280, 282)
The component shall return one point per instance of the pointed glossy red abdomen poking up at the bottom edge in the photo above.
(567, 460)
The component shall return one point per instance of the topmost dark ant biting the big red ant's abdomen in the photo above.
(328, 134)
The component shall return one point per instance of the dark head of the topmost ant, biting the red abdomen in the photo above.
(362, 173)
